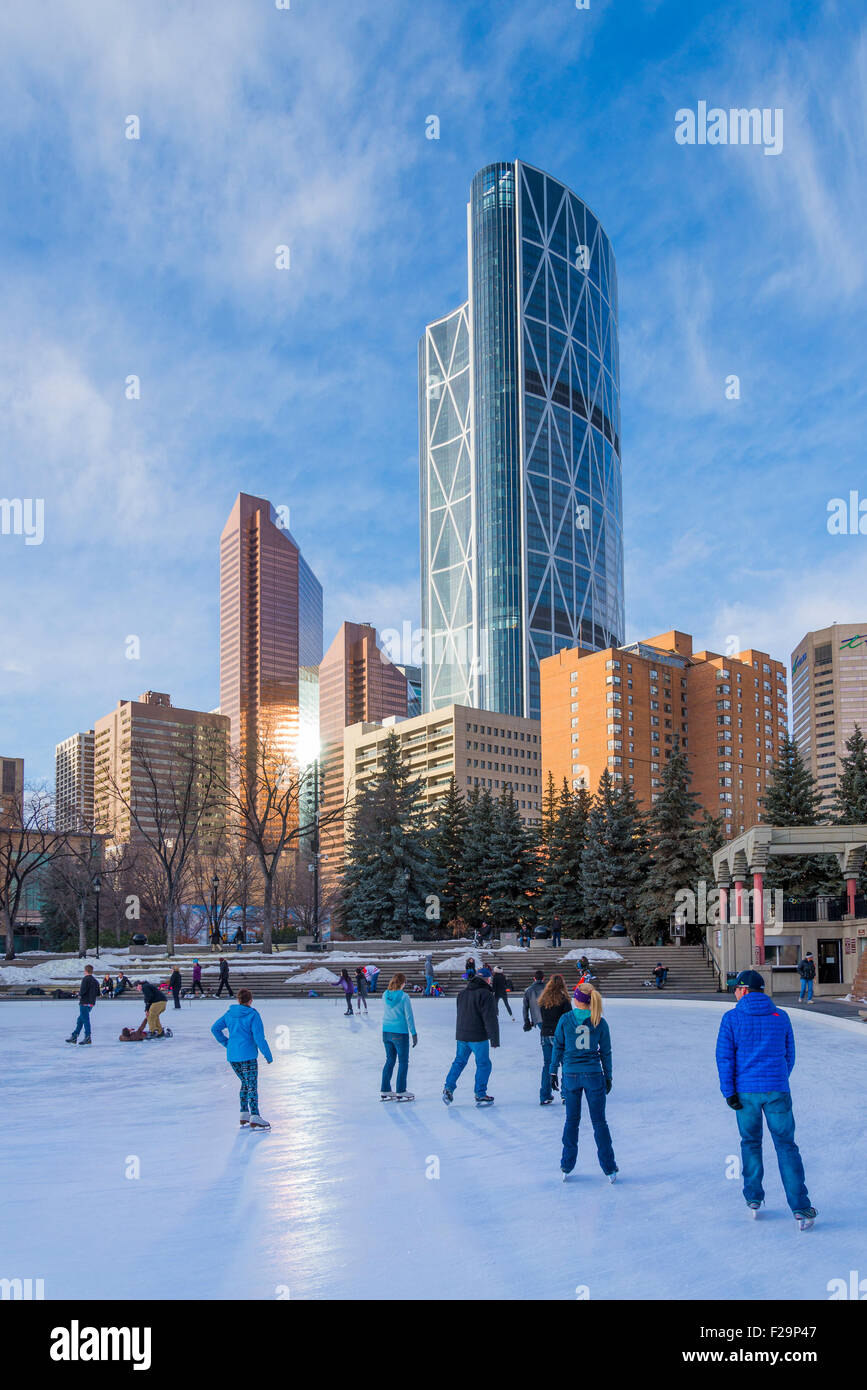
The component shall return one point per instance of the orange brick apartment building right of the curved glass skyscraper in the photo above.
(625, 708)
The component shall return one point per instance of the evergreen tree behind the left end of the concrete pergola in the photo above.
(793, 799)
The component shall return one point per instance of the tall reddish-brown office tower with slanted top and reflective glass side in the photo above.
(270, 639)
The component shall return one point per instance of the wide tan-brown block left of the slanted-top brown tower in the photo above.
(142, 755)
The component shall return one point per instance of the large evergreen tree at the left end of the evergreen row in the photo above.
(390, 864)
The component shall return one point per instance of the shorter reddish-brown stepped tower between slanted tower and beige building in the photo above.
(358, 686)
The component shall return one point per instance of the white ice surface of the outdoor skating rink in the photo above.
(337, 1203)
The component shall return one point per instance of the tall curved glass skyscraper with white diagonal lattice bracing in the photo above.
(522, 534)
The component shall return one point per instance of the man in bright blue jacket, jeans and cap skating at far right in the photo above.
(755, 1060)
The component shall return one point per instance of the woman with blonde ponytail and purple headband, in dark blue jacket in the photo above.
(583, 1049)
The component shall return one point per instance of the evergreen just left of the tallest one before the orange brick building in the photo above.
(615, 860)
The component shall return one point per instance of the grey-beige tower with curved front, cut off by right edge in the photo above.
(829, 698)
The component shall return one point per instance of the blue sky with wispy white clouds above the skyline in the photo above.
(306, 127)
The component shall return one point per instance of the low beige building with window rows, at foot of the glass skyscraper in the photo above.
(477, 747)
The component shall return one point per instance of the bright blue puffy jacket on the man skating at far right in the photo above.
(755, 1047)
